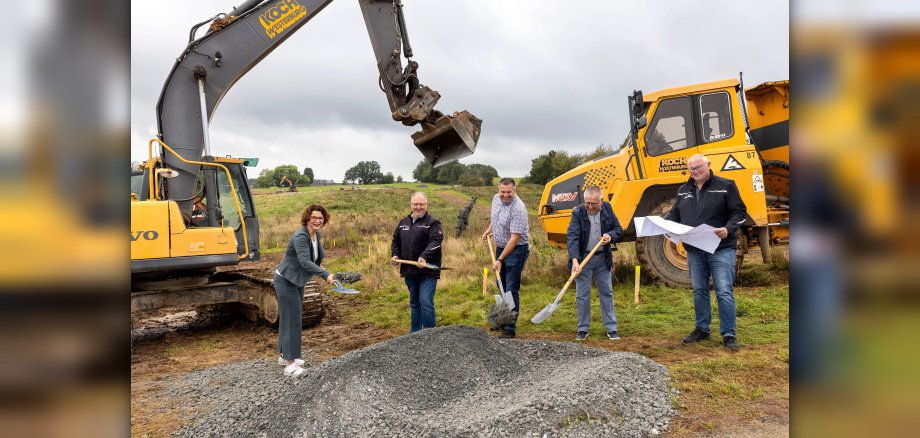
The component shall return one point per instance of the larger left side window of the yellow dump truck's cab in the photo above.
(671, 129)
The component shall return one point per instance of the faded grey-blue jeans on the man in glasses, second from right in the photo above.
(597, 269)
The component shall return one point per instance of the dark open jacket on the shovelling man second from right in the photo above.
(579, 232)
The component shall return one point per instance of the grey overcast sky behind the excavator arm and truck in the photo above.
(541, 74)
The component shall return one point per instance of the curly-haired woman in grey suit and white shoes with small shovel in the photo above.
(301, 261)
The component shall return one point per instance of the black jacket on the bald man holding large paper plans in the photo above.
(718, 204)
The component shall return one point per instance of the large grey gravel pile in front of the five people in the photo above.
(448, 381)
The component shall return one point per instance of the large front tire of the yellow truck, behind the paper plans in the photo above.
(666, 262)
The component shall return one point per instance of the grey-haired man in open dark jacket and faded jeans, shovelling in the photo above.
(593, 222)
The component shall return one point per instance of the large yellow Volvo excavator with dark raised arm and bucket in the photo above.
(194, 211)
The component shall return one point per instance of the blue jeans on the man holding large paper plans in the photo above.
(721, 267)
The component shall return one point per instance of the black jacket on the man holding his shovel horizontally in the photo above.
(420, 239)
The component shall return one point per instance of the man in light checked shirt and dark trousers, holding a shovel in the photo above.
(509, 226)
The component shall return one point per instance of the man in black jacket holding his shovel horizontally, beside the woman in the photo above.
(418, 238)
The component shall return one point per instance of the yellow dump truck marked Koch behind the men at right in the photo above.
(745, 135)
